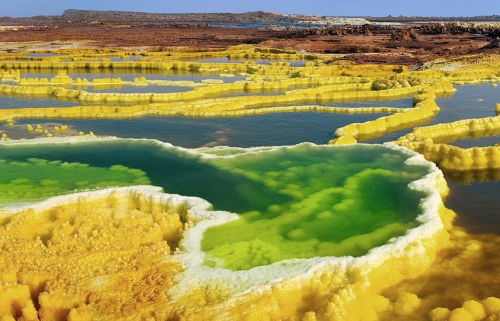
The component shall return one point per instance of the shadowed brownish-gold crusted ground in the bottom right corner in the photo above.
(459, 285)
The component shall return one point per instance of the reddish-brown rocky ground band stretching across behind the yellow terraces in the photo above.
(376, 46)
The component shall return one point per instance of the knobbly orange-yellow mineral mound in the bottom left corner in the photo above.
(110, 256)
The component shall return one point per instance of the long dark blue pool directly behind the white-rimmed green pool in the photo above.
(247, 131)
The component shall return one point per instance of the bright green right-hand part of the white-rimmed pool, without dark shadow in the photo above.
(343, 202)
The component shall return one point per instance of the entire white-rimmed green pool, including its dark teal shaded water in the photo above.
(297, 202)
